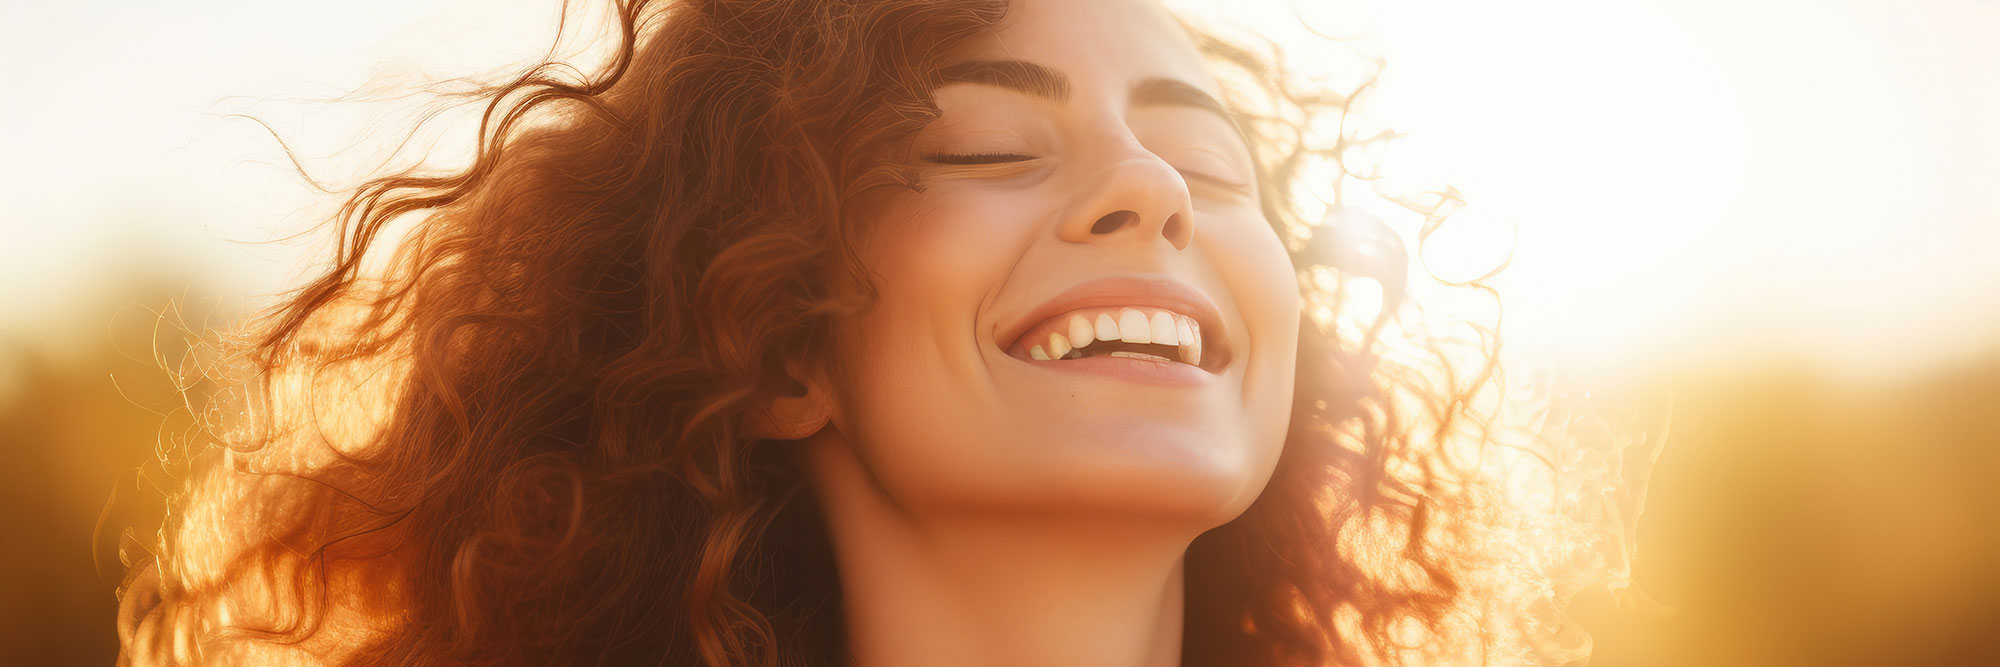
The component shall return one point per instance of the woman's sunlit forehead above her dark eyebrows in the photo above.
(1099, 45)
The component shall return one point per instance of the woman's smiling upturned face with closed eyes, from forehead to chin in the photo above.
(1083, 193)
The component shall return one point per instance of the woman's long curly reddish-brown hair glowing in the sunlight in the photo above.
(523, 438)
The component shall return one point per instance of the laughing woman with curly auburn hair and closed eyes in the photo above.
(833, 333)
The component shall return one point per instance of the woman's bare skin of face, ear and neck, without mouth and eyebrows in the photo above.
(993, 512)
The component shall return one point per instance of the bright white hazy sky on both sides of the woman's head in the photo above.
(1689, 179)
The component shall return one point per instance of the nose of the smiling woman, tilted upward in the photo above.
(1139, 197)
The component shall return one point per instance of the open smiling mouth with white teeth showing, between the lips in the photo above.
(1147, 334)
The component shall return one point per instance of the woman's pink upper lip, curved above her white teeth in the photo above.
(1129, 291)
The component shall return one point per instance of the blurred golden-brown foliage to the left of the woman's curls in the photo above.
(85, 406)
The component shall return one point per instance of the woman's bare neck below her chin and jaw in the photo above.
(997, 590)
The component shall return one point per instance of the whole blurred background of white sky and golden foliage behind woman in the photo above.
(1779, 211)
